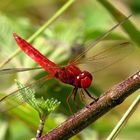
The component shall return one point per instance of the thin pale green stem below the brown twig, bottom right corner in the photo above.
(124, 119)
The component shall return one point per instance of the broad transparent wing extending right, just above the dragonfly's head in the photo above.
(104, 55)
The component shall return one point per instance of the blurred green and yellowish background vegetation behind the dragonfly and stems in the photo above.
(84, 20)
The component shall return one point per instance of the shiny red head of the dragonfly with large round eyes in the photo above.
(83, 80)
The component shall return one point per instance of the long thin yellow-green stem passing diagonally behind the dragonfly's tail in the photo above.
(40, 30)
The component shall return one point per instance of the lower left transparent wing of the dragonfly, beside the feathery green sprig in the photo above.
(15, 98)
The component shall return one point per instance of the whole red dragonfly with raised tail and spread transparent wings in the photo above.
(72, 73)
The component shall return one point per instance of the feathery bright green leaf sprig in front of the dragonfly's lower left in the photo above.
(44, 107)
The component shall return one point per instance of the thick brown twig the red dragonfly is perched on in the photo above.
(113, 97)
